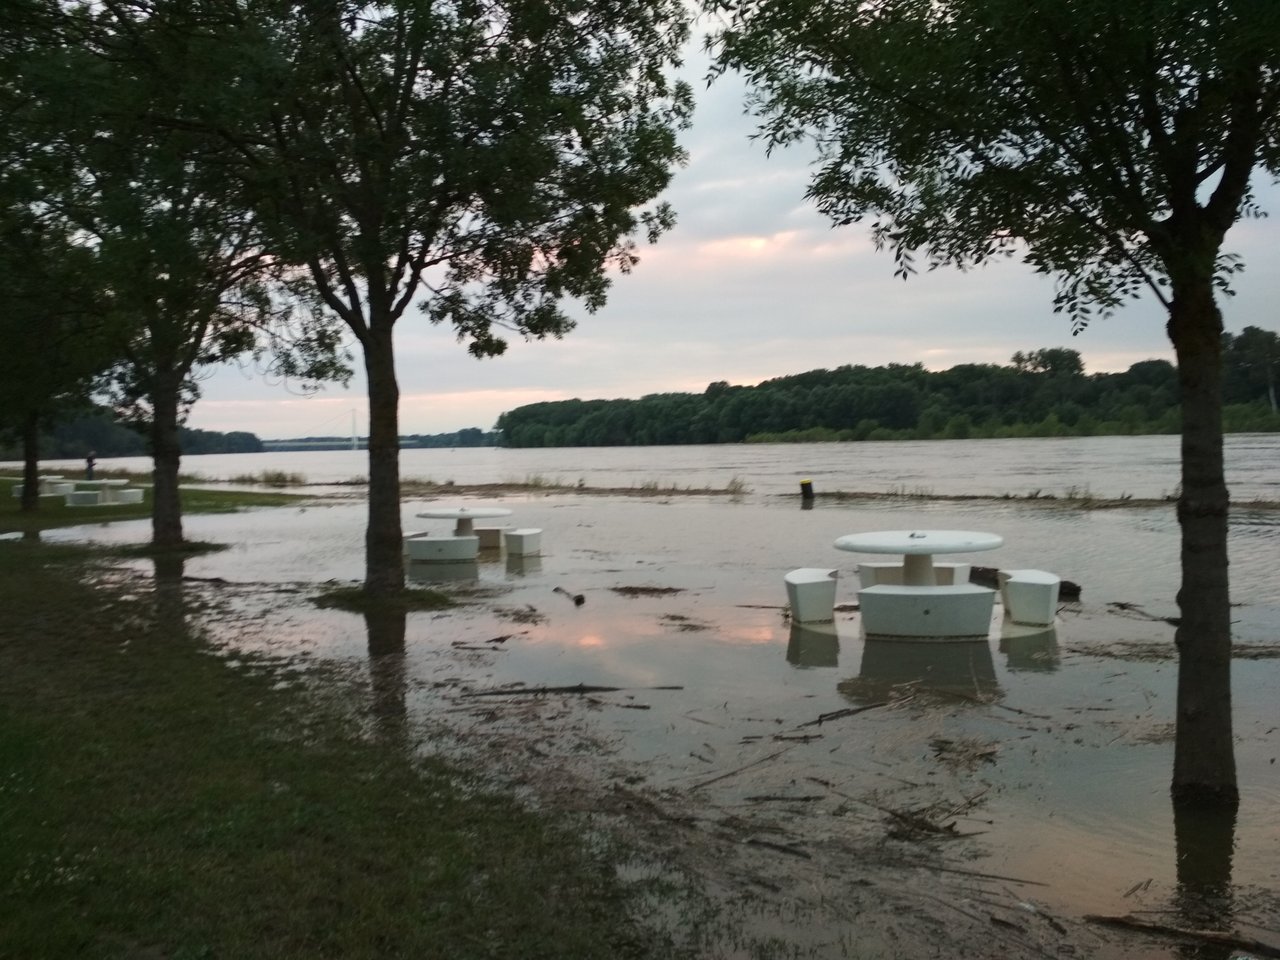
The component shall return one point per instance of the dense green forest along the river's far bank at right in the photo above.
(1043, 394)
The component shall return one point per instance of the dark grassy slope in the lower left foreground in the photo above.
(158, 803)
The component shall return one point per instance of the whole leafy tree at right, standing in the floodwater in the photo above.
(1110, 145)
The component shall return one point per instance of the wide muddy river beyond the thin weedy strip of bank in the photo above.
(1103, 467)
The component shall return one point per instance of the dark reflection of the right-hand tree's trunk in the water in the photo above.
(1205, 840)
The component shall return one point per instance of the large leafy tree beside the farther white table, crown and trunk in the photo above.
(491, 157)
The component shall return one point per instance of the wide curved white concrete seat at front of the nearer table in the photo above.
(927, 612)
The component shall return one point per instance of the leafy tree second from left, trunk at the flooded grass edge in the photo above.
(188, 280)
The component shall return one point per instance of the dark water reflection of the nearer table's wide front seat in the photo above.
(956, 669)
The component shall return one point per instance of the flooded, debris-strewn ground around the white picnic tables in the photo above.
(844, 798)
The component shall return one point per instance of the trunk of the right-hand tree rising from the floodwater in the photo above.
(1204, 753)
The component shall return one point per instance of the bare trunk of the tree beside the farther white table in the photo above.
(385, 564)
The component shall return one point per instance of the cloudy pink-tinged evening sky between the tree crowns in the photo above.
(751, 285)
